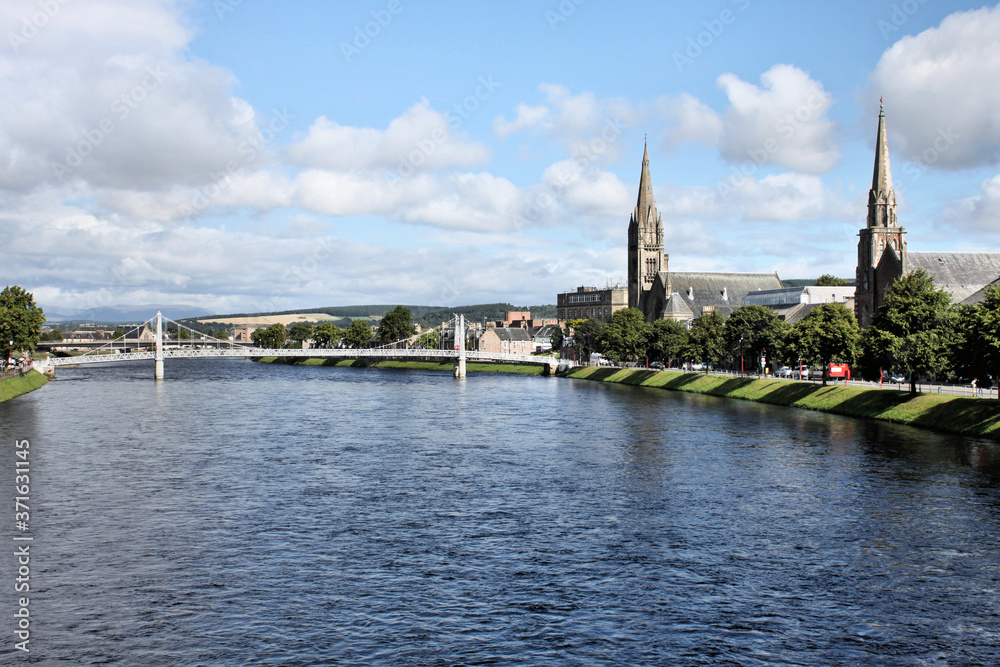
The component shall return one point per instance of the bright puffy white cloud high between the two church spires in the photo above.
(783, 122)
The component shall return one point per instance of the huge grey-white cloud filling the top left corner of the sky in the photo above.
(86, 100)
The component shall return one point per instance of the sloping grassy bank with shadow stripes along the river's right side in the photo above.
(951, 414)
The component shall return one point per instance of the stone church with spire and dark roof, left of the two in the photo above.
(663, 294)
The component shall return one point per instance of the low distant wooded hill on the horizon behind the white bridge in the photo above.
(426, 315)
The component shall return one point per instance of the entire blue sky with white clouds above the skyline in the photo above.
(246, 156)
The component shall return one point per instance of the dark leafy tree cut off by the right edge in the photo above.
(977, 352)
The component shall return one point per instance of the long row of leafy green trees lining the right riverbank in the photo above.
(917, 331)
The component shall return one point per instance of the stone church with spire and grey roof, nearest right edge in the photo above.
(883, 256)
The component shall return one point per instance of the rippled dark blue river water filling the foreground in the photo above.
(240, 513)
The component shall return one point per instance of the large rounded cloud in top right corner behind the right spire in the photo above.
(939, 91)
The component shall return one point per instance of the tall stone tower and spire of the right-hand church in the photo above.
(882, 243)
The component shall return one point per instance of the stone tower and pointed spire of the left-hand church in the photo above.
(645, 242)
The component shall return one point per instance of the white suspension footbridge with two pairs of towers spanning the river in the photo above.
(208, 347)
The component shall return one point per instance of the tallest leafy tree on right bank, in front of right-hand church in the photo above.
(918, 326)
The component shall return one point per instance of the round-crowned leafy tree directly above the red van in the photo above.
(827, 333)
